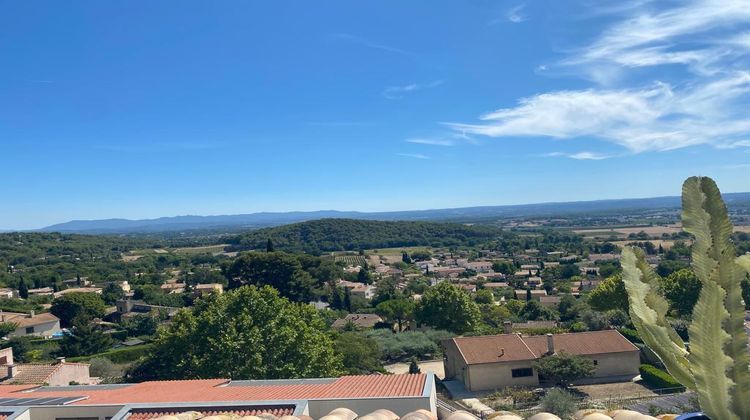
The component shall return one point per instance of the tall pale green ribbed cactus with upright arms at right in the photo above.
(716, 364)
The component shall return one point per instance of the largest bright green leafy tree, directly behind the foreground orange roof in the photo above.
(246, 333)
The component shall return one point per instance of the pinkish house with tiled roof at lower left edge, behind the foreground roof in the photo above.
(60, 373)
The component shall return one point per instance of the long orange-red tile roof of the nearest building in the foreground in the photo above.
(363, 386)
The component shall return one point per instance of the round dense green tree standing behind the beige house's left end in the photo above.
(447, 307)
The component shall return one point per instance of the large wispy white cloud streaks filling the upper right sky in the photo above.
(705, 105)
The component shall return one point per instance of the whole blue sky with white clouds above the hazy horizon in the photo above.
(157, 108)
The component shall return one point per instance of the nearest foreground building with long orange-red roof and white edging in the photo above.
(347, 397)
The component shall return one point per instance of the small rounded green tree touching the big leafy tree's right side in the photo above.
(360, 354)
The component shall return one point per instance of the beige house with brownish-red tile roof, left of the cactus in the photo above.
(498, 361)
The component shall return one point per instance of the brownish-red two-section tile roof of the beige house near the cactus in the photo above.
(512, 347)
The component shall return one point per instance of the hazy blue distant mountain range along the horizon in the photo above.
(466, 214)
